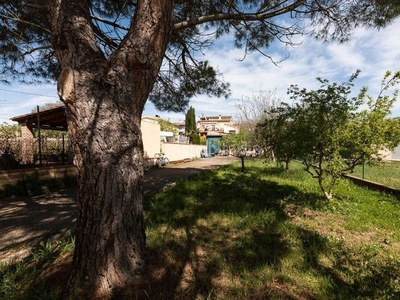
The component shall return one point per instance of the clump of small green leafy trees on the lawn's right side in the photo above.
(326, 130)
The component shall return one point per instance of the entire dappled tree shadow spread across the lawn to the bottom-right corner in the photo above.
(212, 243)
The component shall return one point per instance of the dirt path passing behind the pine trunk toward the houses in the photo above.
(24, 222)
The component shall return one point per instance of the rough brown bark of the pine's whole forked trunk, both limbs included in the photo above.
(105, 97)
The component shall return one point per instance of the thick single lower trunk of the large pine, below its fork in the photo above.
(110, 237)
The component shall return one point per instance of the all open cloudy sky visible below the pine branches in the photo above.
(372, 51)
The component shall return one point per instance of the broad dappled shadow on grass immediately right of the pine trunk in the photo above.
(198, 246)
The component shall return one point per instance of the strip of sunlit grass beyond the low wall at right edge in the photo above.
(386, 173)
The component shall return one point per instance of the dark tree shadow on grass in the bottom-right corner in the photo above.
(352, 275)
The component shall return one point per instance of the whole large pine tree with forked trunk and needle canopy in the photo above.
(109, 58)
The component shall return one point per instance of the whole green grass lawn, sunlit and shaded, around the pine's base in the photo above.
(264, 234)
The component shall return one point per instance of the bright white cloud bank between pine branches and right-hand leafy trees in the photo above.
(373, 52)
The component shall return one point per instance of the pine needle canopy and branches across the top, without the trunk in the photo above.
(27, 53)
